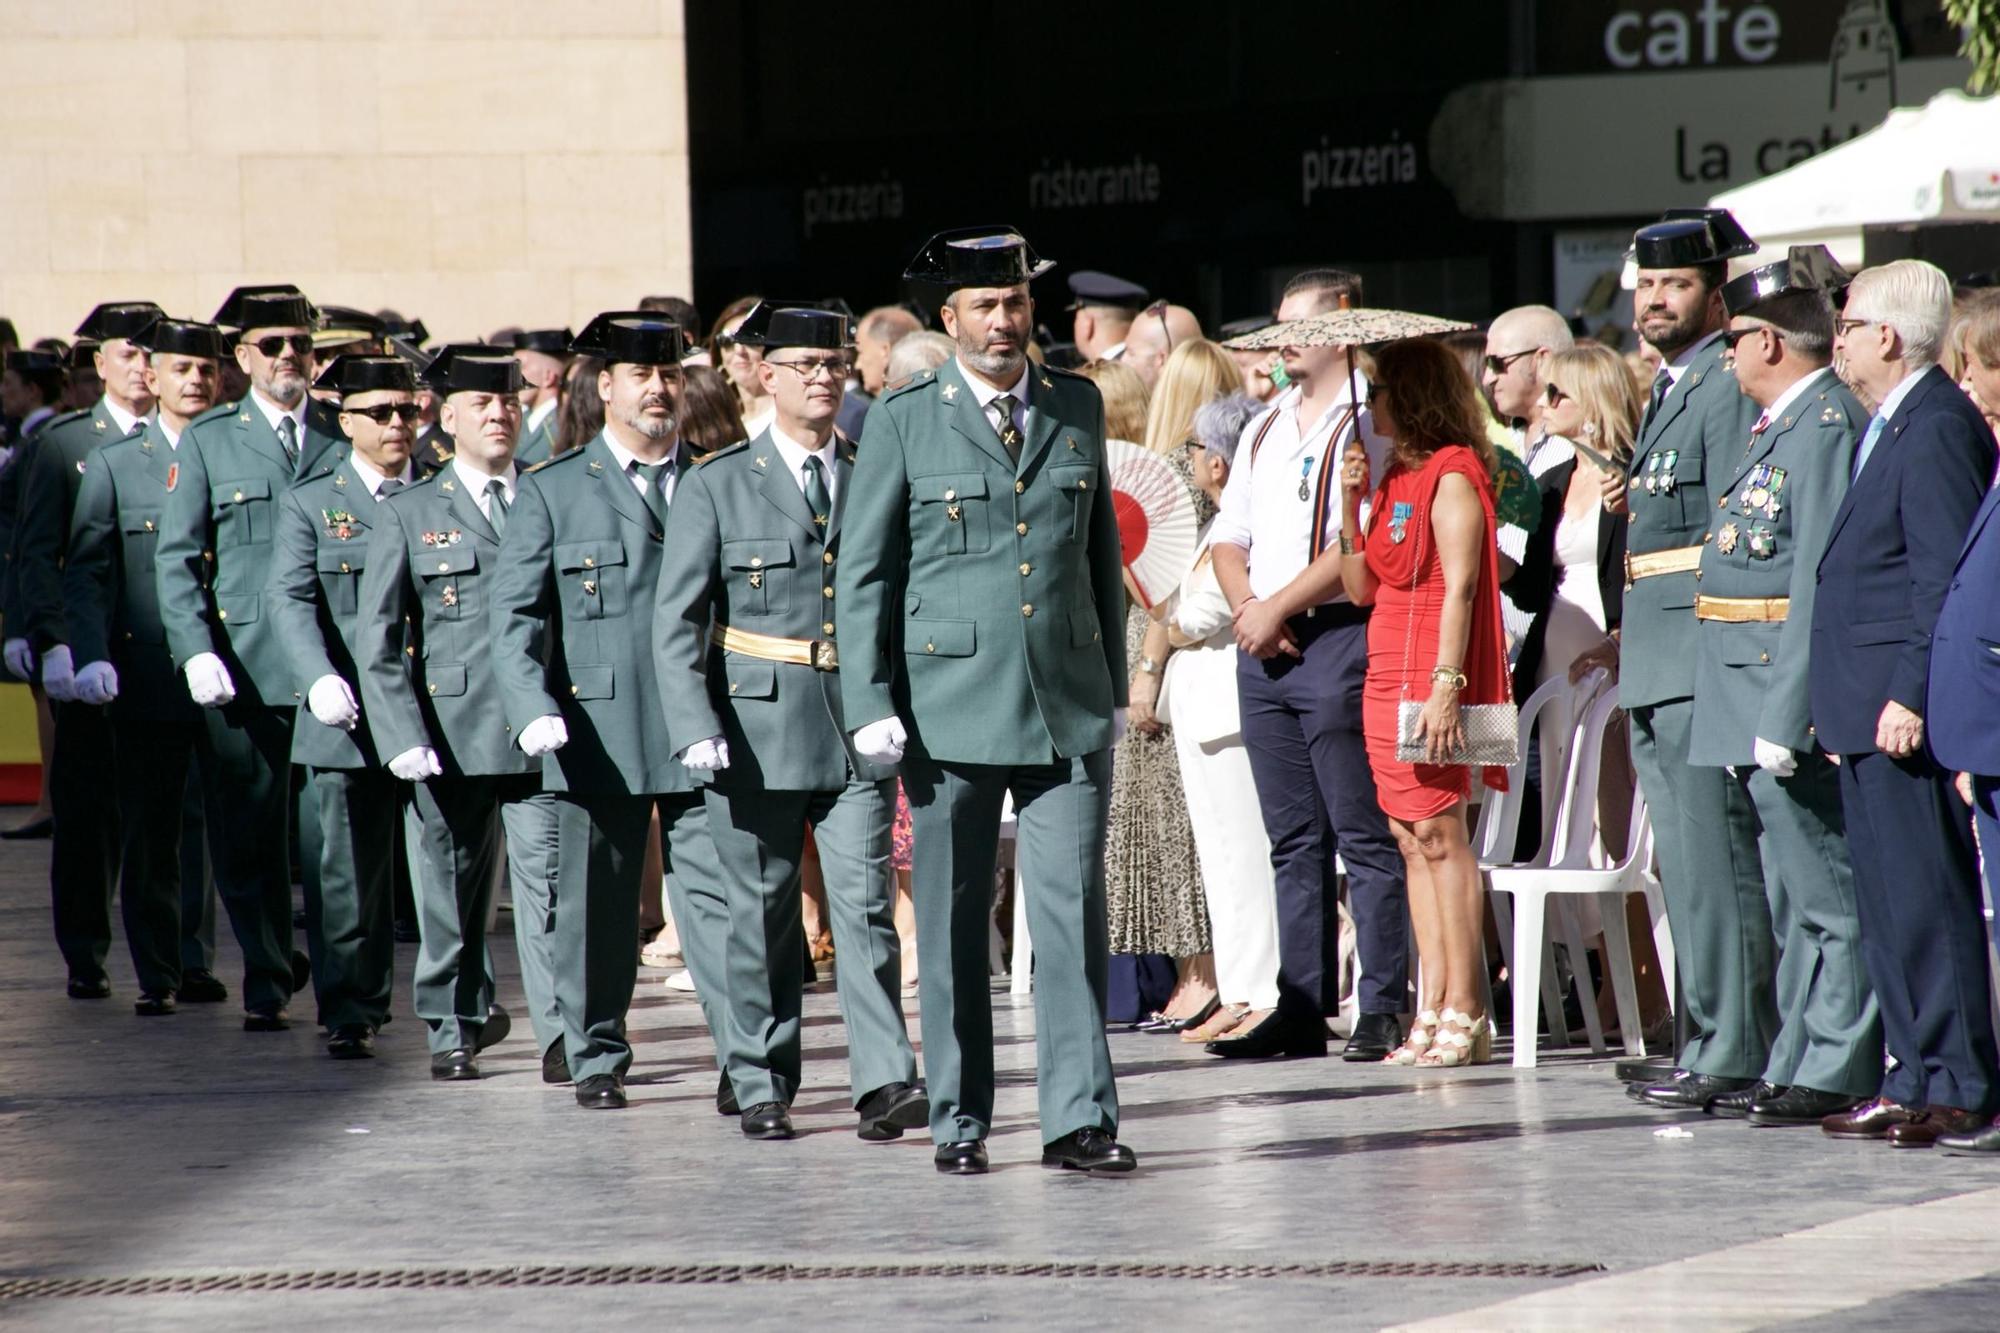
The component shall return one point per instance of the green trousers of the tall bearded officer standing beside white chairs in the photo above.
(1713, 880)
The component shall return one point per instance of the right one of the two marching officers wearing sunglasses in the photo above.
(319, 561)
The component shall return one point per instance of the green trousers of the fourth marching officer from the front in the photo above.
(459, 828)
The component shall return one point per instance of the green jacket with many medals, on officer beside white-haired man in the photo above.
(1751, 678)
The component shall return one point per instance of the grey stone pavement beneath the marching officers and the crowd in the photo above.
(217, 1180)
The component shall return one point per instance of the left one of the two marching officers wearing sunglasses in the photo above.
(213, 567)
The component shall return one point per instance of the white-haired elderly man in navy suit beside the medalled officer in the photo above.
(1921, 473)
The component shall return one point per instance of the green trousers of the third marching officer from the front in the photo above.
(601, 850)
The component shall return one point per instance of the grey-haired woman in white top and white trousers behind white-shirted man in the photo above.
(1199, 702)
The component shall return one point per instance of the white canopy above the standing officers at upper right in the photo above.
(1927, 163)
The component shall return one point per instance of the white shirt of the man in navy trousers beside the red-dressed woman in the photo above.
(1261, 507)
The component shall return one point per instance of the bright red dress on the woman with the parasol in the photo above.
(1401, 655)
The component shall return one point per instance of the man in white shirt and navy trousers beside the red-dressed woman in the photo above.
(1305, 653)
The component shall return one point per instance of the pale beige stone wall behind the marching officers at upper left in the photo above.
(473, 163)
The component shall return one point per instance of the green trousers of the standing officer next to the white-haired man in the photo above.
(1829, 1026)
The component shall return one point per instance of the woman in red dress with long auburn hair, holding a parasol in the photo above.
(1429, 567)
